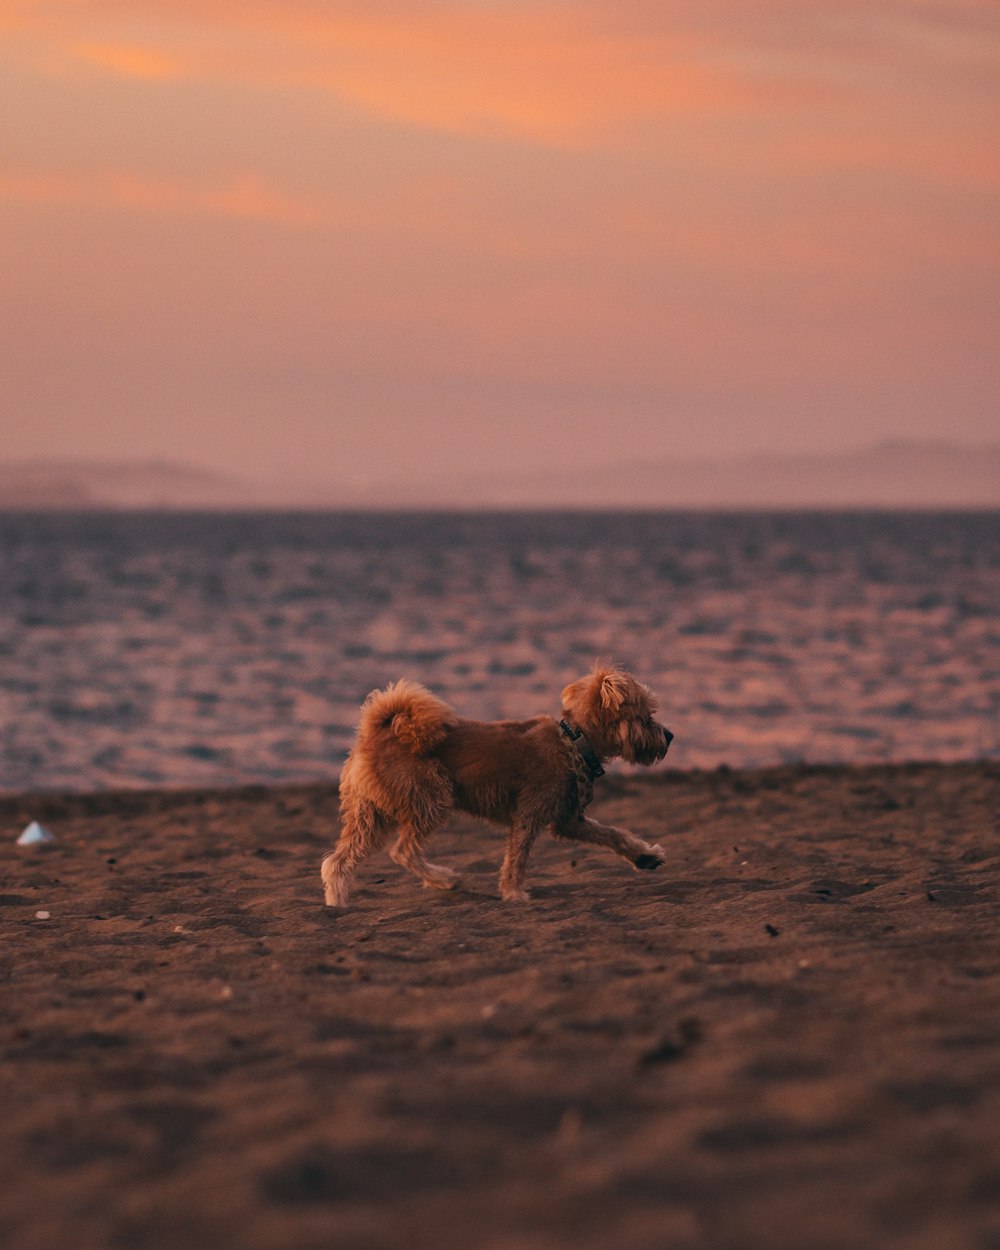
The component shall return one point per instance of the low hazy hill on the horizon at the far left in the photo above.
(71, 484)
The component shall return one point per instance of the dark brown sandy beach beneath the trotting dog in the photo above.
(788, 1038)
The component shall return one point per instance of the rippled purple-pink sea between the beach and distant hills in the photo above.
(159, 649)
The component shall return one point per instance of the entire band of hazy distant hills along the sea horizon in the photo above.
(897, 474)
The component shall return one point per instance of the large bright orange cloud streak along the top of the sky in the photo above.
(528, 72)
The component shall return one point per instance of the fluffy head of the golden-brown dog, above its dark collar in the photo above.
(618, 714)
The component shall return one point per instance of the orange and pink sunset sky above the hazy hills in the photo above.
(356, 241)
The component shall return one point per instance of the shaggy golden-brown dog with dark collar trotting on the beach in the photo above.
(416, 761)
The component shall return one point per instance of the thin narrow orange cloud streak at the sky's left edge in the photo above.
(242, 198)
